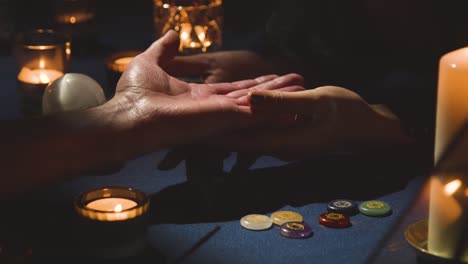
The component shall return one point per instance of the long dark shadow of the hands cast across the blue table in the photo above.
(223, 196)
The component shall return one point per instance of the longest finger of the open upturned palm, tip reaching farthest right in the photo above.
(277, 83)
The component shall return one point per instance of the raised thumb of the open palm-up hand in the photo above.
(164, 49)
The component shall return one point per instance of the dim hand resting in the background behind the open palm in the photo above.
(221, 66)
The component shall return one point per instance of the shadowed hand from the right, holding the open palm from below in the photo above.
(316, 121)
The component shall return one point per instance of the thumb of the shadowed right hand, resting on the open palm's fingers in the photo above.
(277, 102)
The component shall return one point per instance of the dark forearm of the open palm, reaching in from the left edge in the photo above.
(45, 150)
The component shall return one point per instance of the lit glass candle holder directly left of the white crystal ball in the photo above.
(43, 55)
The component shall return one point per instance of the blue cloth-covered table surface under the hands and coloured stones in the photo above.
(186, 210)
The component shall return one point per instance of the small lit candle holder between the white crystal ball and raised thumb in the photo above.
(115, 65)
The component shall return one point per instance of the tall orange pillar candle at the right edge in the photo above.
(445, 211)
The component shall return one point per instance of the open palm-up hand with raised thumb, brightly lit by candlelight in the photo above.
(167, 111)
